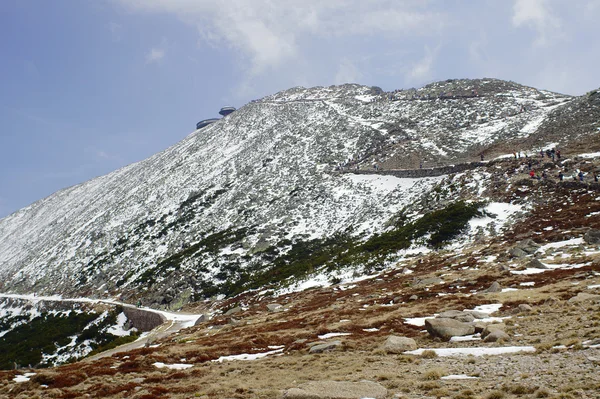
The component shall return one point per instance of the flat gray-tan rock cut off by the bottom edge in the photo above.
(337, 390)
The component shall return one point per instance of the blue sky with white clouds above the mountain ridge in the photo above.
(89, 86)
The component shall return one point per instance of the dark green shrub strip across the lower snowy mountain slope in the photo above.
(293, 260)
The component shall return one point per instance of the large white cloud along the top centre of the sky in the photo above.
(267, 33)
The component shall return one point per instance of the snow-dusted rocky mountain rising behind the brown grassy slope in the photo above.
(256, 199)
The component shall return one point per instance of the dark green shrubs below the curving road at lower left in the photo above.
(26, 344)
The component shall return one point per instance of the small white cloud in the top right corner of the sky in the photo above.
(537, 15)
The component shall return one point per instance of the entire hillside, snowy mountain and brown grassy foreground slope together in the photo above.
(300, 233)
